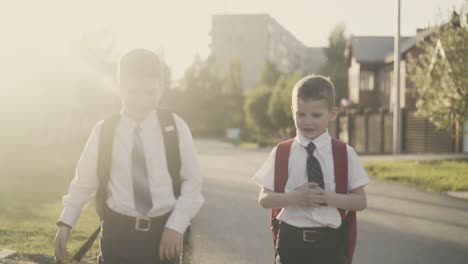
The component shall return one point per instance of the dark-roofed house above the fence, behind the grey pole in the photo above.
(370, 70)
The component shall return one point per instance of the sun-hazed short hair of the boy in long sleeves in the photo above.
(139, 63)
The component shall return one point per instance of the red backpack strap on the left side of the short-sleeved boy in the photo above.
(281, 177)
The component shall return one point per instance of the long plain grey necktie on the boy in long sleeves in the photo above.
(141, 187)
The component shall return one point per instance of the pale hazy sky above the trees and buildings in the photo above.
(180, 29)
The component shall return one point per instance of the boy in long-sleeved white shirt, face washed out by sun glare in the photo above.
(144, 216)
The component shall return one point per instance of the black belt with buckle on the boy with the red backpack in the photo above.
(309, 234)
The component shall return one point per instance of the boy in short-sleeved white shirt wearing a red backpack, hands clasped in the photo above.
(304, 177)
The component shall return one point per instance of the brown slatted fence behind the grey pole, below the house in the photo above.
(372, 132)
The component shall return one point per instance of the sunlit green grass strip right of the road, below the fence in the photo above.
(433, 176)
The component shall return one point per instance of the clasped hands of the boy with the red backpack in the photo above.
(308, 195)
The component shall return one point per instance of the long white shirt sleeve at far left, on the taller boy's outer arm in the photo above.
(85, 182)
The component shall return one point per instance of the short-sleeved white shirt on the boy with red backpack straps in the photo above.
(307, 216)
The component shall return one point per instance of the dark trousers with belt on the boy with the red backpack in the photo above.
(310, 245)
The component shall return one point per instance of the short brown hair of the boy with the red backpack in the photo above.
(315, 87)
